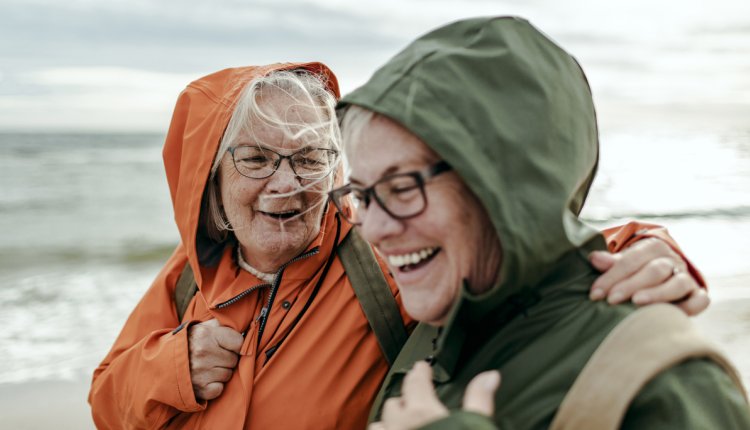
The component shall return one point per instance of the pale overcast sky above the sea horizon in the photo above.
(119, 65)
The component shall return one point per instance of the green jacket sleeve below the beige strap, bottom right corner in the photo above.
(696, 394)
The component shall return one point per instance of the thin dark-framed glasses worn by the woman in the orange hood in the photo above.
(257, 162)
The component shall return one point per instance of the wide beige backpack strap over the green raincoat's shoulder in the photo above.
(647, 342)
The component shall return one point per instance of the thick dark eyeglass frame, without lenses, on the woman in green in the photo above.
(420, 176)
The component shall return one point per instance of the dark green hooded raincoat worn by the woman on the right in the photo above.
(513, 114)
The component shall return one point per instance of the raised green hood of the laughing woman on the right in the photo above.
(513, 114)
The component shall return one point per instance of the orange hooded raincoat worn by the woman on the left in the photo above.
(327, 371)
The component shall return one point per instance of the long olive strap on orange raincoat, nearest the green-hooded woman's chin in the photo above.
(374, 294)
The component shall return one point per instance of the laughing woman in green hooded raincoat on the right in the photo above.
(471, 154)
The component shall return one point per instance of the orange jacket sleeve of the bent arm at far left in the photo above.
(144, 380)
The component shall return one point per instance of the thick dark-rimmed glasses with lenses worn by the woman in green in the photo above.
(401, 195)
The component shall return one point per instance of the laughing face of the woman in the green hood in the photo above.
(430, 254)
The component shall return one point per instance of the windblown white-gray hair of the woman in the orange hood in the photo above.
(304, 89)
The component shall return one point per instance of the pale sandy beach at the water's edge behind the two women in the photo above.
(62, 404)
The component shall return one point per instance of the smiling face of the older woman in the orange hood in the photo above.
(275, 218)
